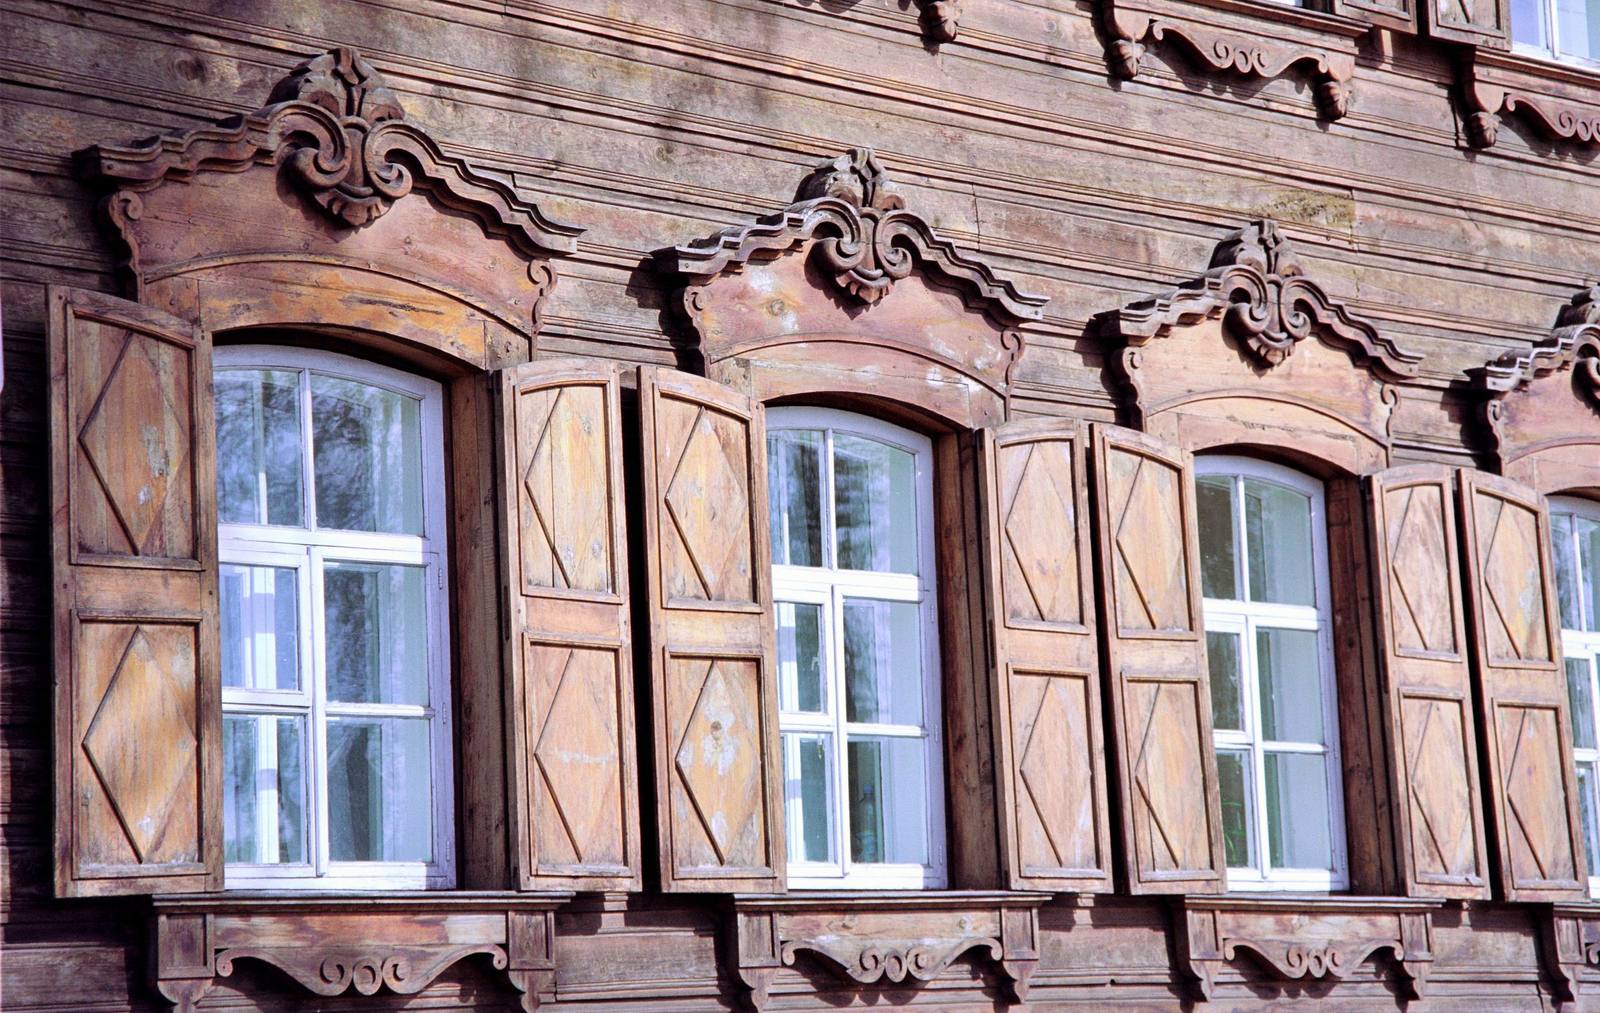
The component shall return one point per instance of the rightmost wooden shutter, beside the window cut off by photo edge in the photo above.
(1522, 691)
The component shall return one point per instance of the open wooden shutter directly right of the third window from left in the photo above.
(1428, 684)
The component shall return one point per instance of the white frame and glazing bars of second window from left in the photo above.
(830, 588)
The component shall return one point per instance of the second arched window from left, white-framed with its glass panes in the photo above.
(852, 524)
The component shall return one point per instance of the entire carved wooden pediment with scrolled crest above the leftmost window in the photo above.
(306, 198)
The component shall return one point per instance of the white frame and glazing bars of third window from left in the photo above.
(1244, 619)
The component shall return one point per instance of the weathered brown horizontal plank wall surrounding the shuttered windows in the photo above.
(660, 124)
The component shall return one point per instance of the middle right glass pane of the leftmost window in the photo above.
(375, 619)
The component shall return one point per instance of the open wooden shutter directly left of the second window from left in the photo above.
(719, 783)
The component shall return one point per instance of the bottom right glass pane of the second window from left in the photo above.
(889, 801)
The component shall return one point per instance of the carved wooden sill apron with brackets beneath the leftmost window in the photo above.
(332, 945)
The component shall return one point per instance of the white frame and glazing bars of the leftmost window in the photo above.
(306, 550)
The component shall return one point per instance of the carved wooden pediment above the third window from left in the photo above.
(1257, 327)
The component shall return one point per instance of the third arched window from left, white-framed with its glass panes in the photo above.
(1265, 577)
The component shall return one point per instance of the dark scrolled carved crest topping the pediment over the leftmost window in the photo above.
(342, 137)
